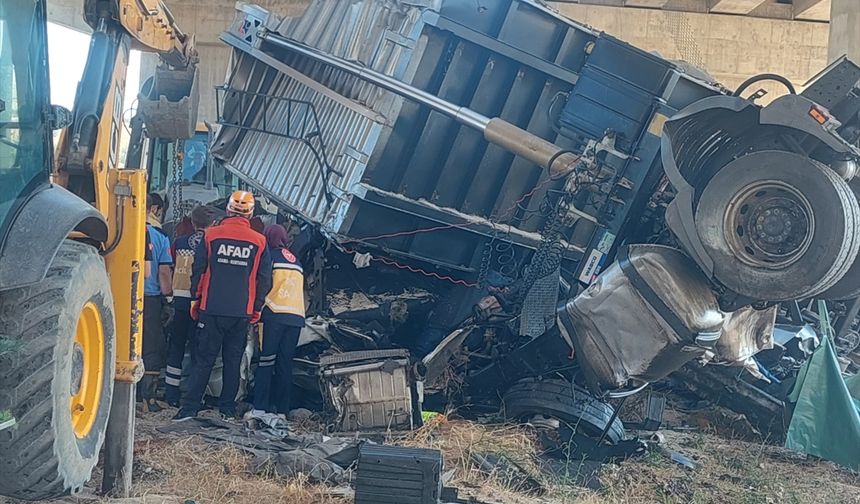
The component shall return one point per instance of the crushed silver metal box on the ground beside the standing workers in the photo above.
(369, 390)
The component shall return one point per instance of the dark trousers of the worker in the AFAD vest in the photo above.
(215, 334)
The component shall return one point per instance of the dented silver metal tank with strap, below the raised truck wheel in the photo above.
(631, 324)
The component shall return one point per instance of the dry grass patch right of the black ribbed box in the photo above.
(729, 471)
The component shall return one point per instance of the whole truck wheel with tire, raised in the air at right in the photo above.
(778, 226)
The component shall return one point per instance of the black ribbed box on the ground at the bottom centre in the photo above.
(388, 474)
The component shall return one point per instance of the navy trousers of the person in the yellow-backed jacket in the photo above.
(276, 358)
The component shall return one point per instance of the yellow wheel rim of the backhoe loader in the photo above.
(87, 370)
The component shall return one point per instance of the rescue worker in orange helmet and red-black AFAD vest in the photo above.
(231, 275)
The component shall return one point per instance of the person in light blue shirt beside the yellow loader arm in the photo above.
(157, 285)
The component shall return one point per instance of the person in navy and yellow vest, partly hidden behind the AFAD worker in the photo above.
(182, 334)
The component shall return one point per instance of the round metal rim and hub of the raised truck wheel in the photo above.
(769, 225)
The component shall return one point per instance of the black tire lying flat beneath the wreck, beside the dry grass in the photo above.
(567, 402)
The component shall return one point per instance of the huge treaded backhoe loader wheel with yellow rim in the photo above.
(58, 380)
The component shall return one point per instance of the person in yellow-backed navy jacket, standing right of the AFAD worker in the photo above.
(283, 319)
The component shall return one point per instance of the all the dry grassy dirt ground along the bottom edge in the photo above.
(186, 470)
